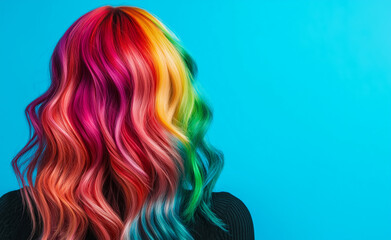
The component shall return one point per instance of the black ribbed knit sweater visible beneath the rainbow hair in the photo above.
(16, 224)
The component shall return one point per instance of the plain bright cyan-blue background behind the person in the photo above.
(301, 93)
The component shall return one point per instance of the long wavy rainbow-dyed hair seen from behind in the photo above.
(117, 143)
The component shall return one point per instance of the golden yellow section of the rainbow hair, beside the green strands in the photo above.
(173, 85)
